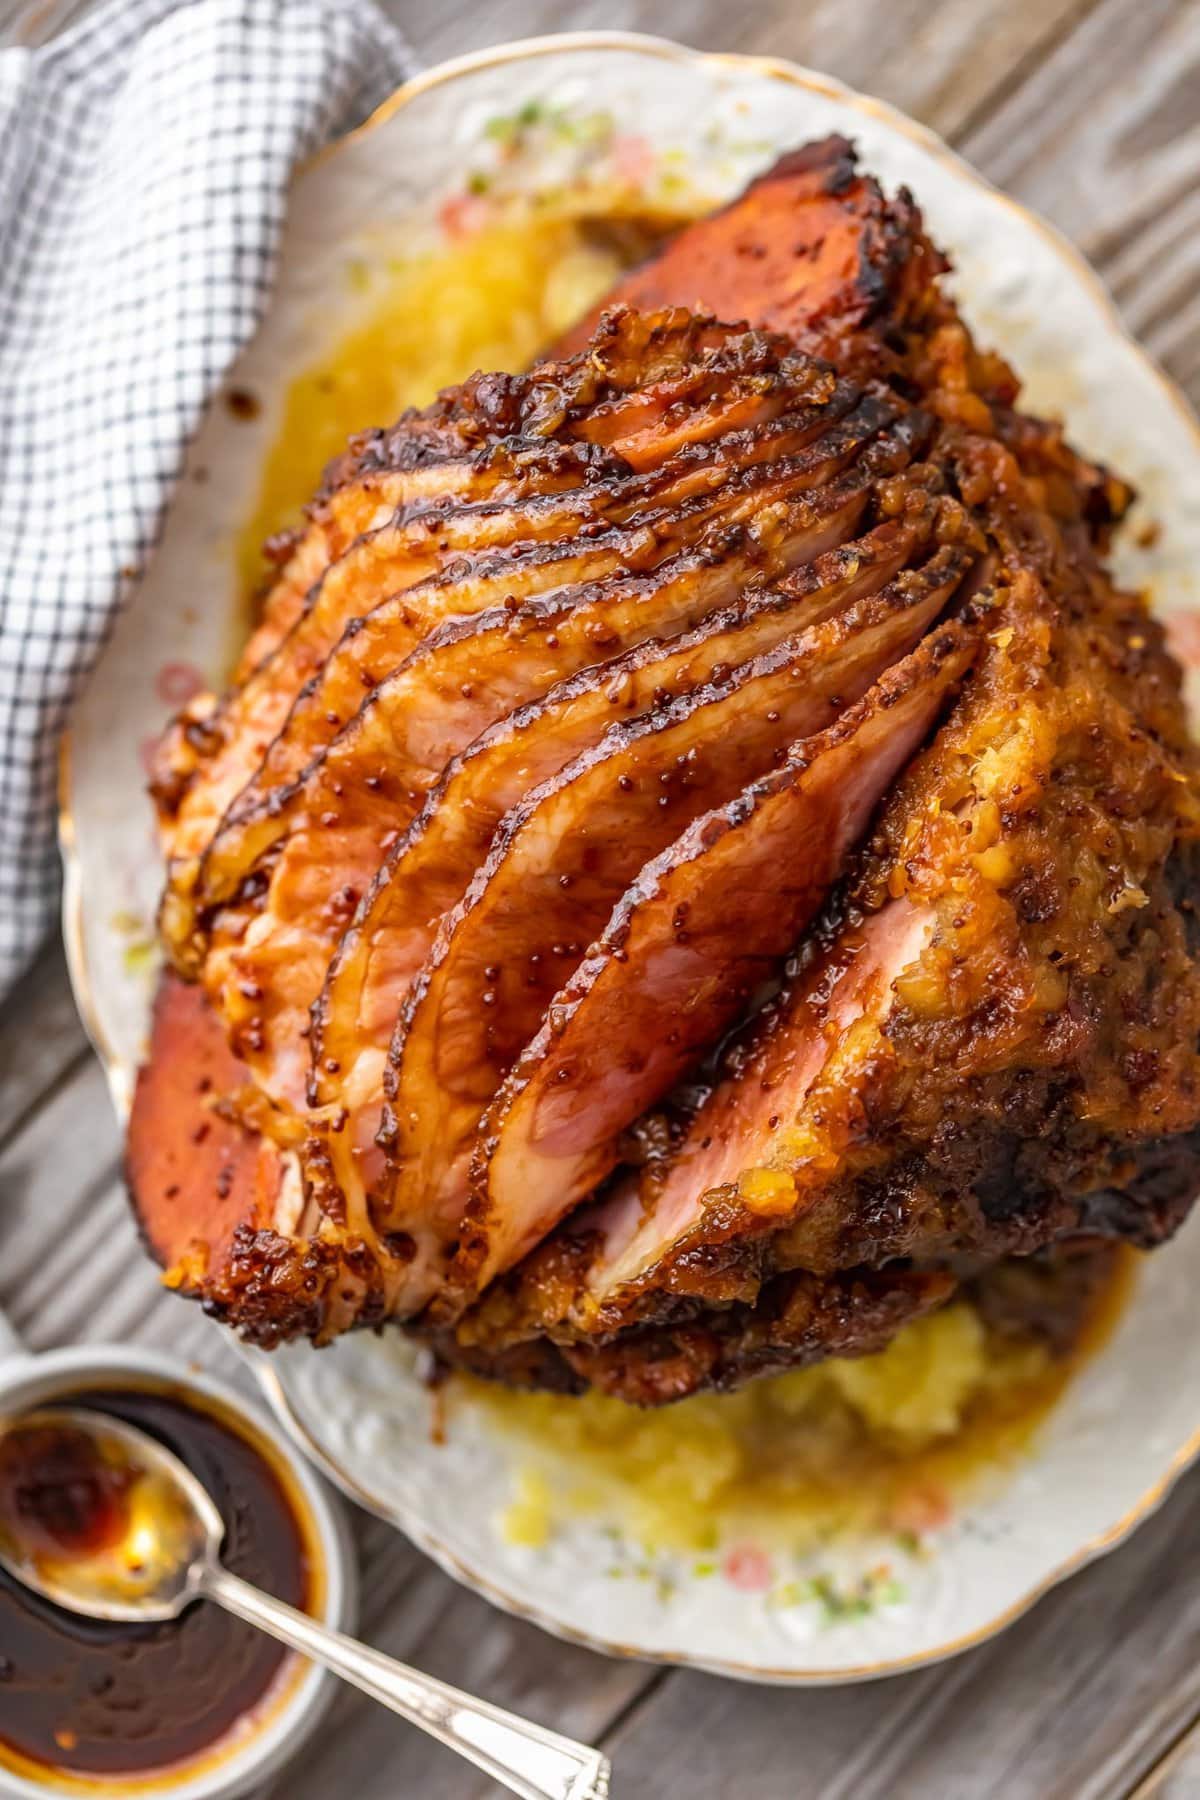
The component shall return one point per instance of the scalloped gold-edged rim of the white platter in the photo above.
(121, 1077)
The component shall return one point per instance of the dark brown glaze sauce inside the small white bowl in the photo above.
(112, 1702)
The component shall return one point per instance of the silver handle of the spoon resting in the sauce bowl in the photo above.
(526, 1758)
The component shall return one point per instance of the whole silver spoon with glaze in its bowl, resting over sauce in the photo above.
(156, 1547)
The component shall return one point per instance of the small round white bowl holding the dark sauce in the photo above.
(289, 1714)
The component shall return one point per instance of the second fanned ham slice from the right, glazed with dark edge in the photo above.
(560, 863)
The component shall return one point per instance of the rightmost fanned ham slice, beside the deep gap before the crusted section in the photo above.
(677, 964)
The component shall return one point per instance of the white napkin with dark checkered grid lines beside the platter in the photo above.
(145, 165)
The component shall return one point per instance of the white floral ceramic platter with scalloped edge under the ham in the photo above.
(641, 114)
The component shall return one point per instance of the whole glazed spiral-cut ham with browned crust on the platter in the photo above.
(699, 859)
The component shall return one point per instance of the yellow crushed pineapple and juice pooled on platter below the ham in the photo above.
(884, 1443)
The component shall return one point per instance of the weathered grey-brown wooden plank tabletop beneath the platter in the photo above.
(1091, 112)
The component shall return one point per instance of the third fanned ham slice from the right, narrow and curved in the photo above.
(433, 865)
